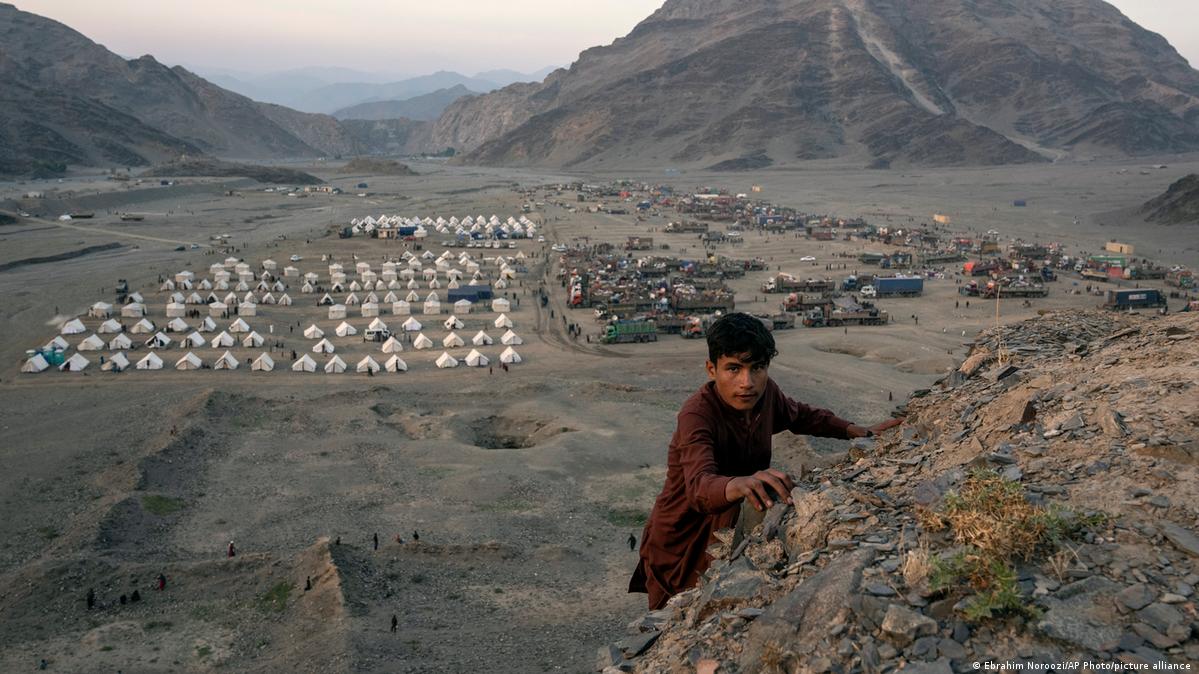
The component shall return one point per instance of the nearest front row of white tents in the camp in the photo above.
(264, 363)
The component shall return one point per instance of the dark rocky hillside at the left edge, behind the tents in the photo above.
(69, 100)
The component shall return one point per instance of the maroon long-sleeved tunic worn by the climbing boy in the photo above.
(712, 446)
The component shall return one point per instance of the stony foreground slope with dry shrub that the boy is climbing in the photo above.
(1040, 509)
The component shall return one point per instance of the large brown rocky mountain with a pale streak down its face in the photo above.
(957, 82)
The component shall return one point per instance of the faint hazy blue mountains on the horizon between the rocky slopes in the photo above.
(328, 91)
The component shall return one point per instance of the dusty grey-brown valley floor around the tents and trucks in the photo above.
(522, 561)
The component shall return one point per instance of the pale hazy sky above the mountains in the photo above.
(413, 38)
